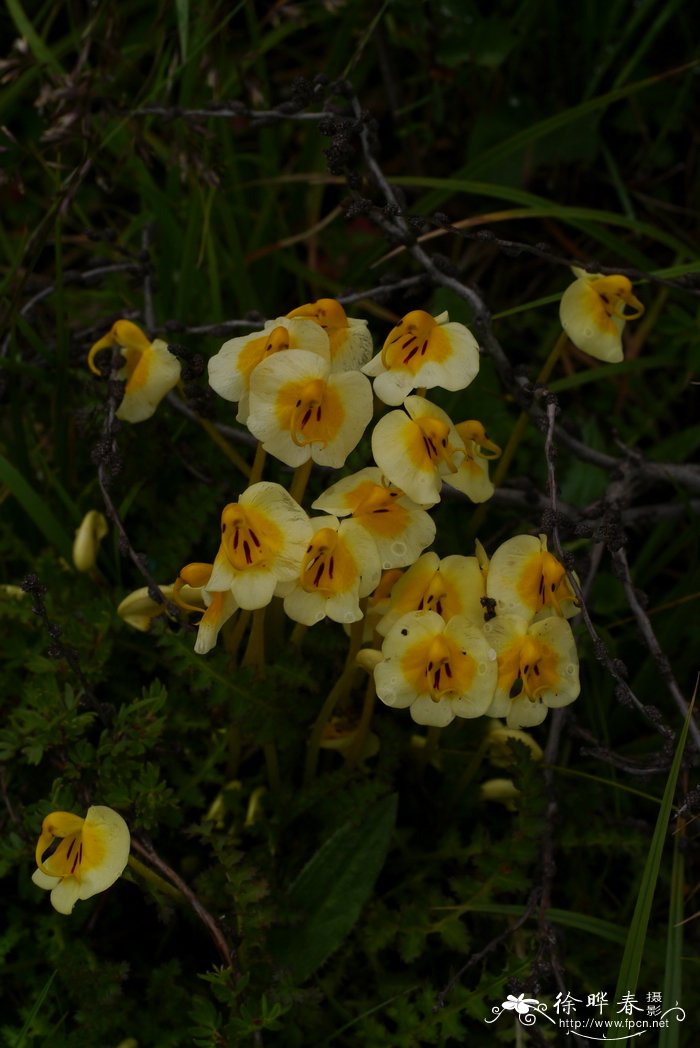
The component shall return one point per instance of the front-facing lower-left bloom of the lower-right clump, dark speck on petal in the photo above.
(441, 671)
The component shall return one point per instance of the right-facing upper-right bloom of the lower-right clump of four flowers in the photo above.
(526, 580)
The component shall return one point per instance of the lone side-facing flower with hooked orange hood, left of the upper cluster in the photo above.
(150, 370)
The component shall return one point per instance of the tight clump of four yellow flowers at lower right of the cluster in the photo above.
(442, 659)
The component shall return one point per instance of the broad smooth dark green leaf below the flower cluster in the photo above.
(333, 888)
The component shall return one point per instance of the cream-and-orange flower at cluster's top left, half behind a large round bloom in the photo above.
(230, 370)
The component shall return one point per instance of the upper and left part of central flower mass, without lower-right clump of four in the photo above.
(302, 389)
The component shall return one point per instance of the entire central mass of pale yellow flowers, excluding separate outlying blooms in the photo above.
(302, 388)
